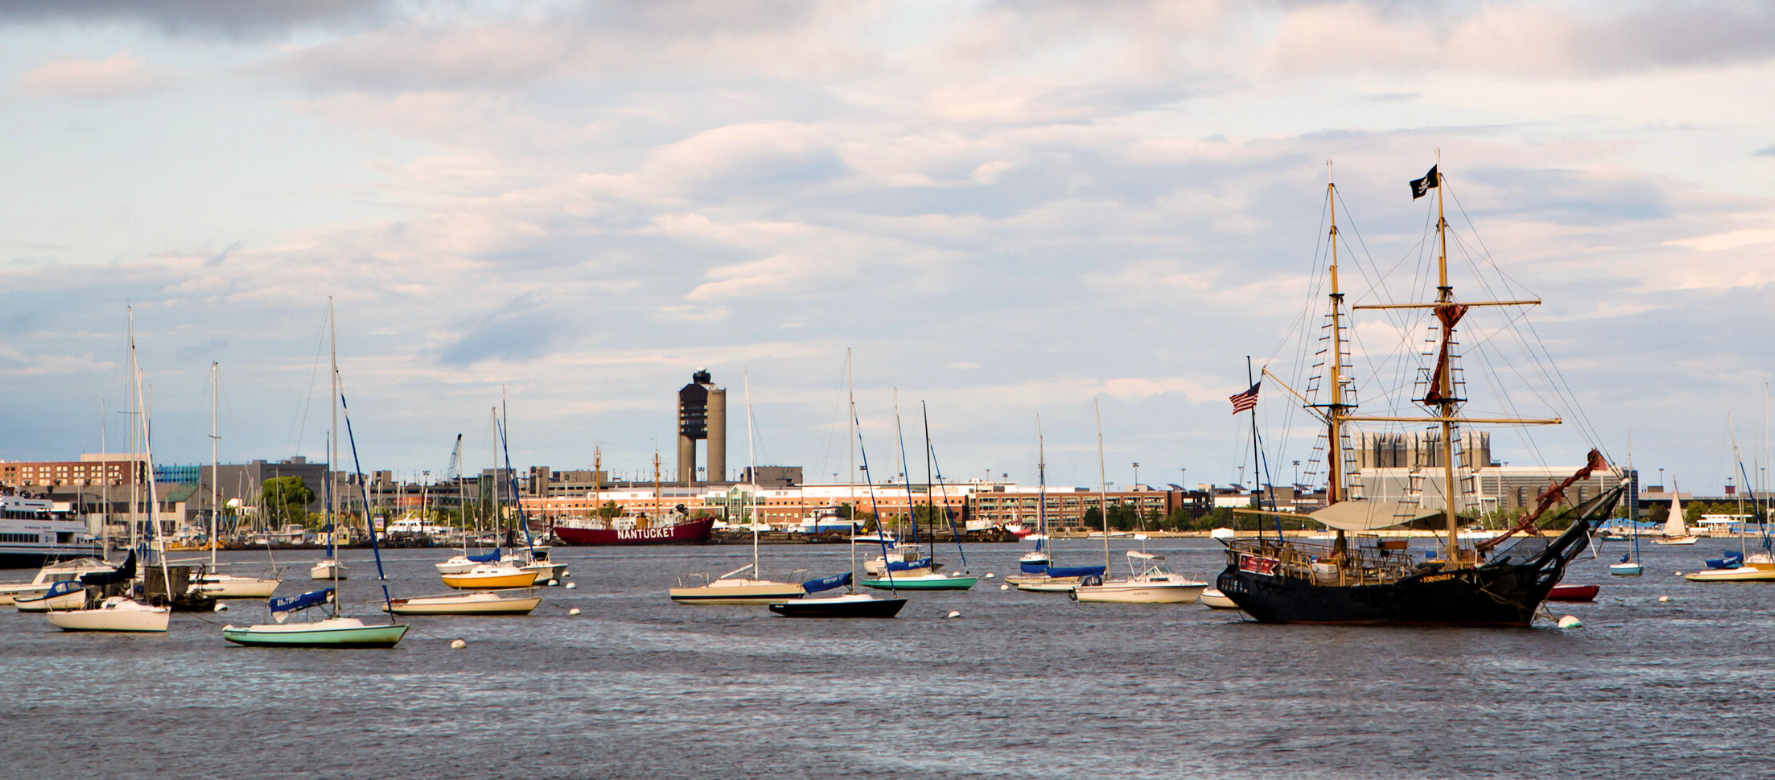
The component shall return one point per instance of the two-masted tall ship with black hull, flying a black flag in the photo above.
(1375, 582)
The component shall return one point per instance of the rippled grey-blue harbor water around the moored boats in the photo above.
(1018, 687)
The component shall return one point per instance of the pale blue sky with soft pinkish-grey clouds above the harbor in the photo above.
(1004, 212)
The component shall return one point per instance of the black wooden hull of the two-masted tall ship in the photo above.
(1506, 593)
